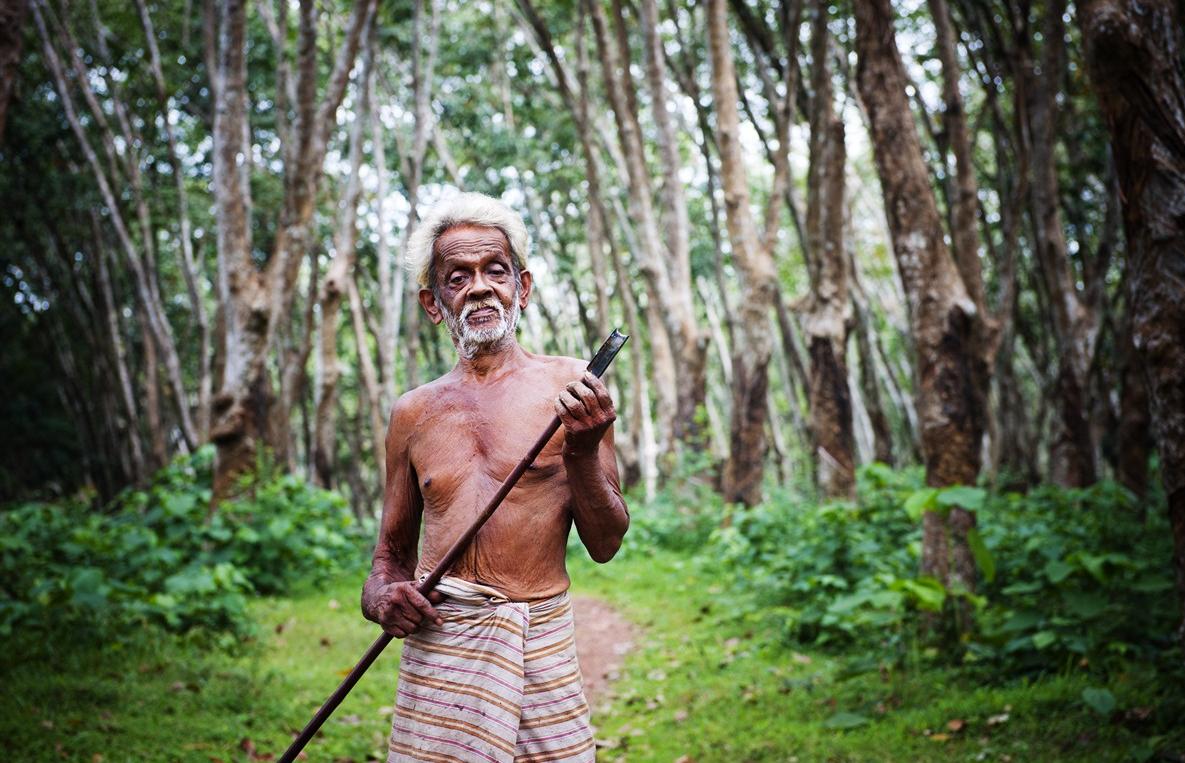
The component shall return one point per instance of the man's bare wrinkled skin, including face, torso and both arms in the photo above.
(453, 441)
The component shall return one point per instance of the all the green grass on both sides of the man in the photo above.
(708, 682)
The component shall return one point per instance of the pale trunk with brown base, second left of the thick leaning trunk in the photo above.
(753, 342)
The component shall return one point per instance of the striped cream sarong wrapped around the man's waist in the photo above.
(497, 683)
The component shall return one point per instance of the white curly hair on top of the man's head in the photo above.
(465, 209)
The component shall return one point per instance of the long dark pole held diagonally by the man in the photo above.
(598, 367)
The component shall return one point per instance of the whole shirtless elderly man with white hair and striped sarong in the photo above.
(489, 670)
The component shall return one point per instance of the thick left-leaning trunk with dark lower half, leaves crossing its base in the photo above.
(951, 401)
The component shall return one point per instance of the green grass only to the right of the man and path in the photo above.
(709, 685)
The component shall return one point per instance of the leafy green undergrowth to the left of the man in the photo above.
(159, 556)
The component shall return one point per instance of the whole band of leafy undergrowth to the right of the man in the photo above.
(1067, 576)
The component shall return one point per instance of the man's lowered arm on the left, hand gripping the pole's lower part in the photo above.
(389, 595)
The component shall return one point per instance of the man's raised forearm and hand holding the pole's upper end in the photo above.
(599, 511)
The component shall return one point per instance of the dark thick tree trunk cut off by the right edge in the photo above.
(1135, 57)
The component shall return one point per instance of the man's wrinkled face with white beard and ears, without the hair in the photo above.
(475, 288)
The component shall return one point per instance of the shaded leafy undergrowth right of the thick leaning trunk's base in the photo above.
(1081, 578)
